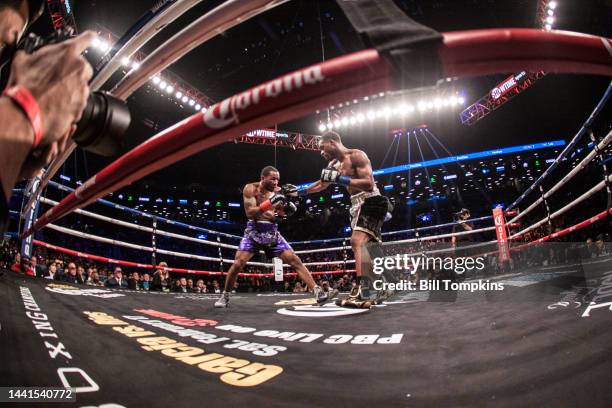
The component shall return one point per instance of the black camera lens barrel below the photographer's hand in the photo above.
(102, 125)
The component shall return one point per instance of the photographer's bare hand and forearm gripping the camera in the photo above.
(57, 77)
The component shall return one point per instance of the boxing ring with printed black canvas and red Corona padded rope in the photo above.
(543, 340)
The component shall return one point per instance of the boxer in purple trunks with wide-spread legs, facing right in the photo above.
(263, 202)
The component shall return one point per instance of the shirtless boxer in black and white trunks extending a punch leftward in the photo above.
(352, 169)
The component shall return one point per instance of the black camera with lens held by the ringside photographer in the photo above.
(105, 118)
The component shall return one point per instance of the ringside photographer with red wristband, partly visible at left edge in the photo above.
(45, 96)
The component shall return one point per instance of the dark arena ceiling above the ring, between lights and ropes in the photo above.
(300, 33)
